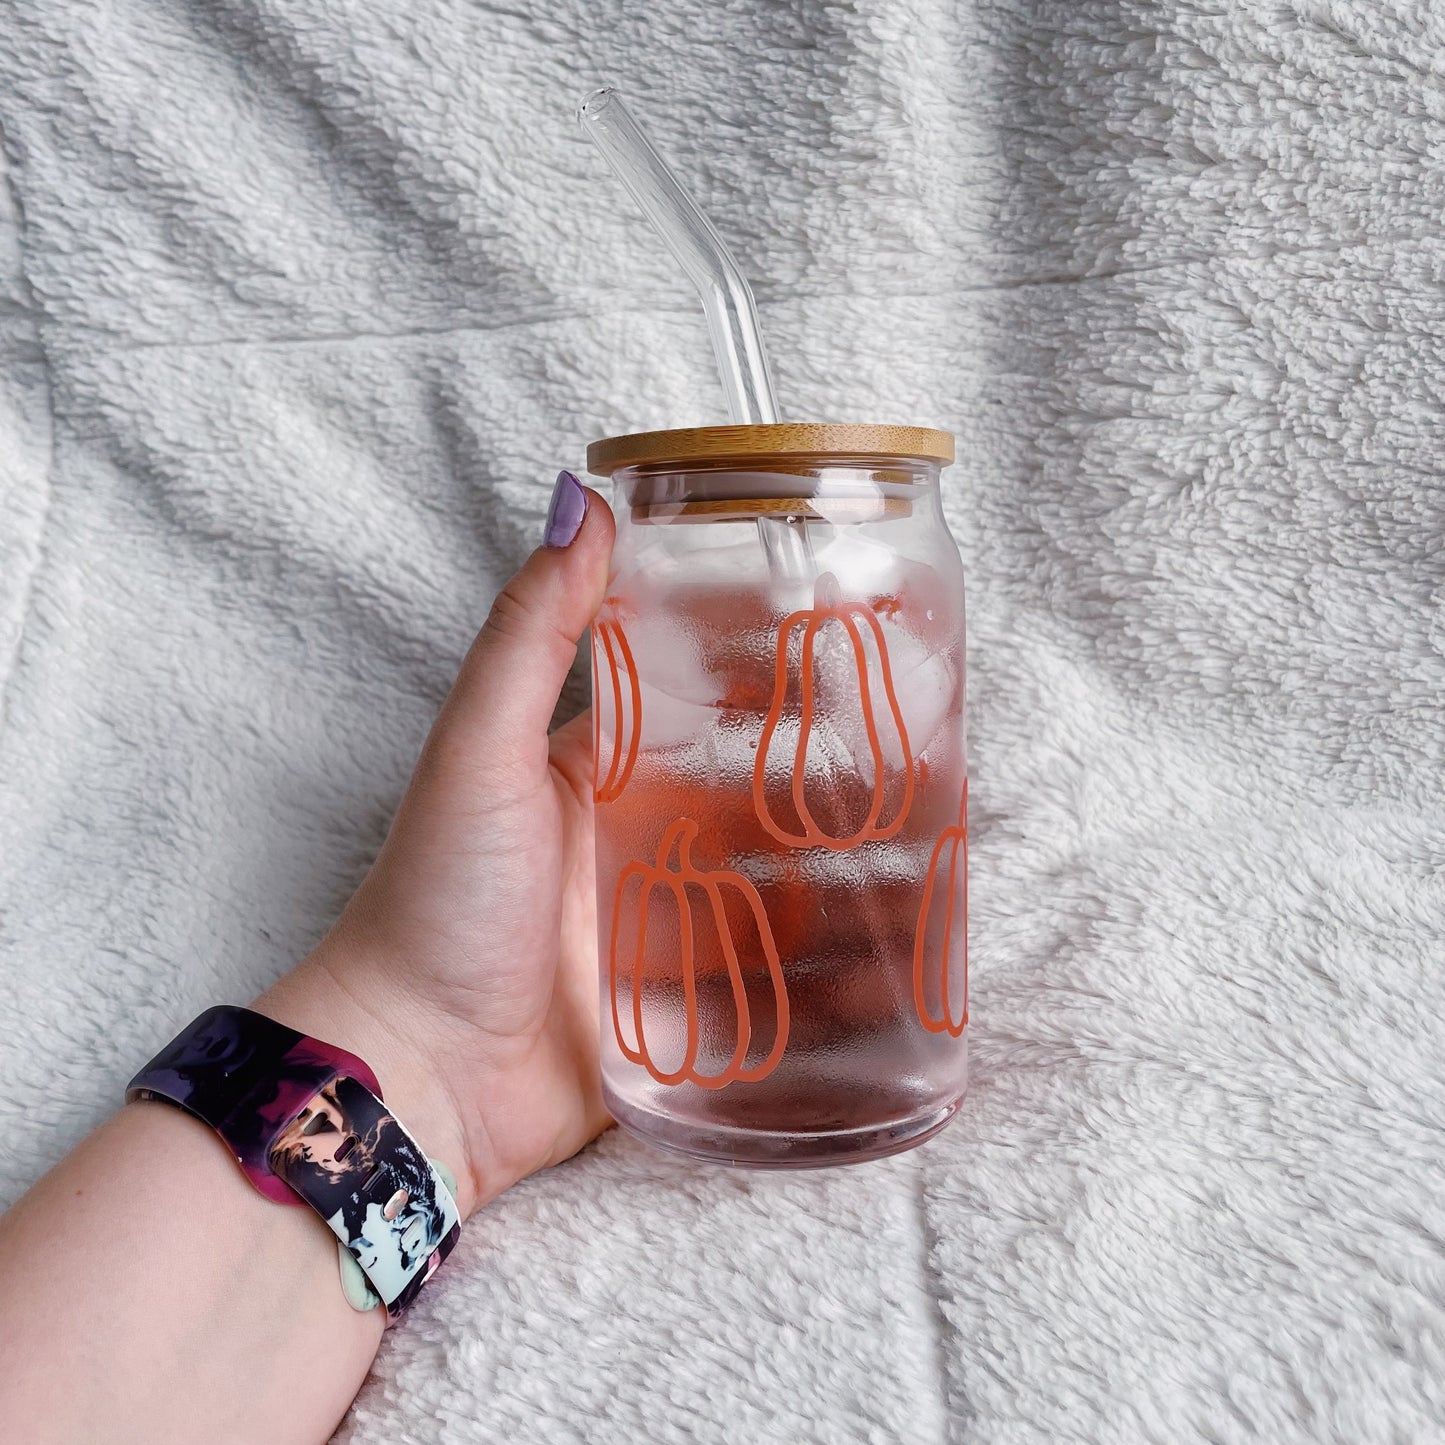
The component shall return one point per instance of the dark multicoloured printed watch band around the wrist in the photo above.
(307, 1125)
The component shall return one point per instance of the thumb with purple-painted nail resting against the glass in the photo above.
(502, 703)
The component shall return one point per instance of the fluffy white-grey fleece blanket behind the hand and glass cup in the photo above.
(303, 303)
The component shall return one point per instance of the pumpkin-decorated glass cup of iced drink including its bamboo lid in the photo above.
(782, 879)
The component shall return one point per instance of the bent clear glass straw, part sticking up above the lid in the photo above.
(728, 300)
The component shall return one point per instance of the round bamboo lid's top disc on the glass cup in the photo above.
(748, 444)
